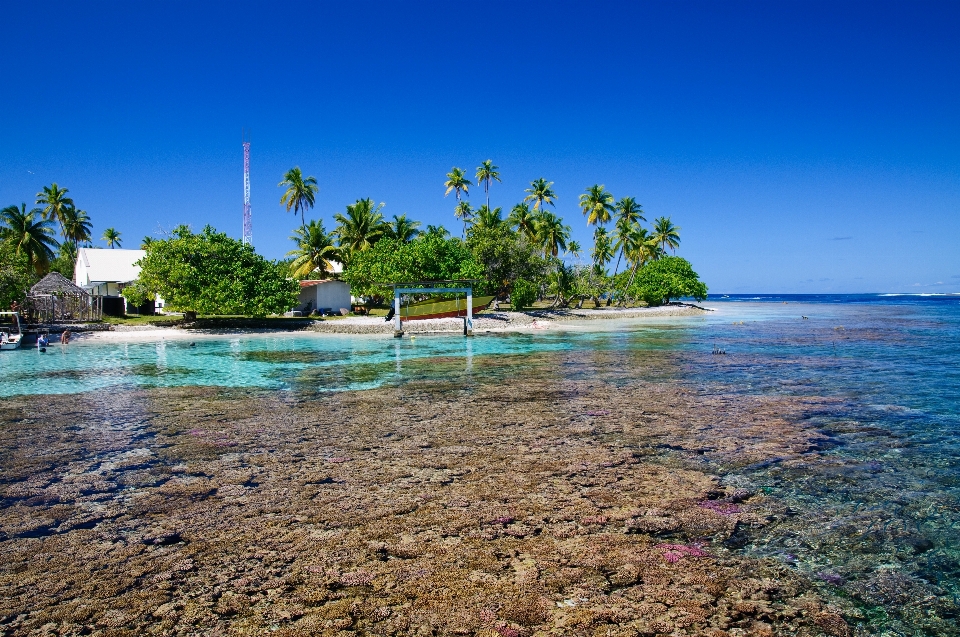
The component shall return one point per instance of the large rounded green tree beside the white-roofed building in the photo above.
(210, 273)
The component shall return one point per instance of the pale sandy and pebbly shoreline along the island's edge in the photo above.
(488, 322)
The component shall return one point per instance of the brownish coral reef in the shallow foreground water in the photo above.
(428, 507)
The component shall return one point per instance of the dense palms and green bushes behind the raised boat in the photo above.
(526, 256)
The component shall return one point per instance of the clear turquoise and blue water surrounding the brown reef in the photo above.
(873, 519)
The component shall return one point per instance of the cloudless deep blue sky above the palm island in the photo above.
(802, 147)
